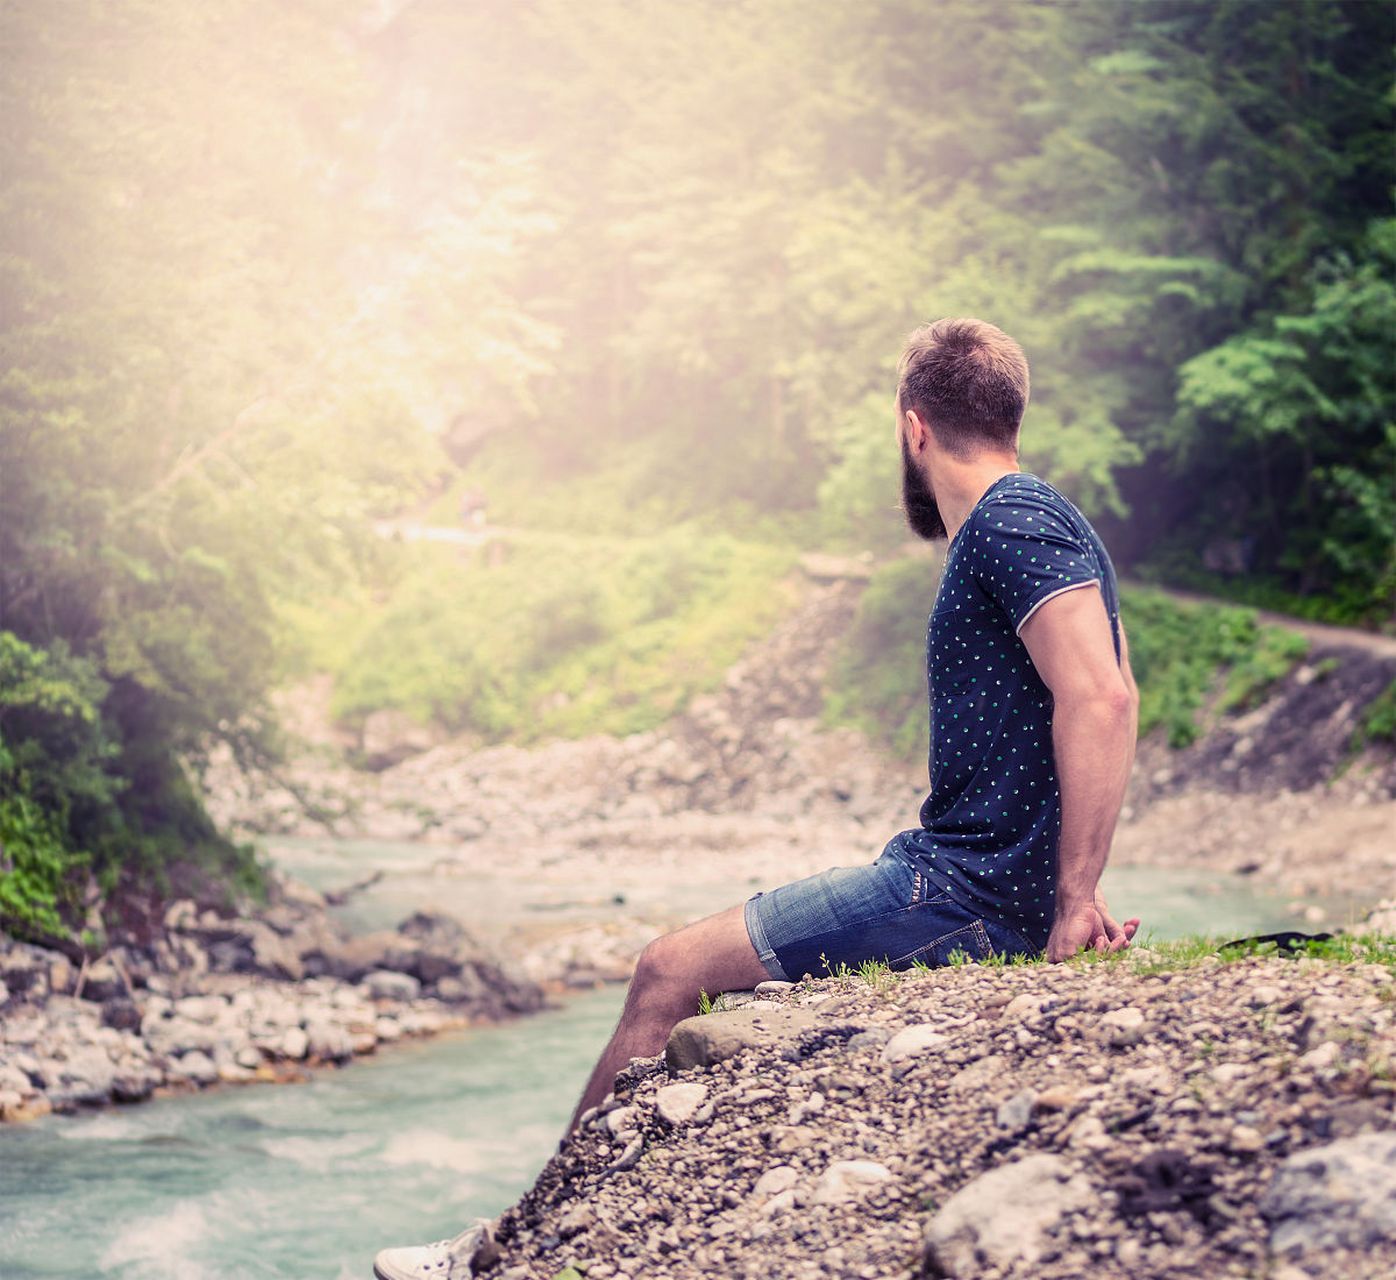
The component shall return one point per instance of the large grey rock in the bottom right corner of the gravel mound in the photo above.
(1334, 1197)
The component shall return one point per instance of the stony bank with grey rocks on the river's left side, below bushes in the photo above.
(230, 999)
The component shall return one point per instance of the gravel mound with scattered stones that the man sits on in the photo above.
(1124, 1117)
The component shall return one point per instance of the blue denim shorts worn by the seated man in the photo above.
(886, 911)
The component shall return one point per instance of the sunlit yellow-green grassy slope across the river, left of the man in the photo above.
(548, 637)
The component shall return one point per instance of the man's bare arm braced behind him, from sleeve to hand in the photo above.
(1095, 718)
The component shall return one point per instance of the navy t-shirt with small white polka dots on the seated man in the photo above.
(992, 821)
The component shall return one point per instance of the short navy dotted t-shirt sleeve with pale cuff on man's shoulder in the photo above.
(1024, 553)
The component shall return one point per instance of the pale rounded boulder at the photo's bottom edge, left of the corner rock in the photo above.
(1002, 1218)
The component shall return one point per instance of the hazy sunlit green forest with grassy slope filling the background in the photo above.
(281, 274)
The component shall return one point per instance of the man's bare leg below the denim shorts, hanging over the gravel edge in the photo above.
(710, 955)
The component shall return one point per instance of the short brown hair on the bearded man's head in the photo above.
(968, 382)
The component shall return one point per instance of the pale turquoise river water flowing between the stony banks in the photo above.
(308, 1182)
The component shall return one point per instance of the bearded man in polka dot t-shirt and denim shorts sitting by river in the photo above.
(1034, 717)
